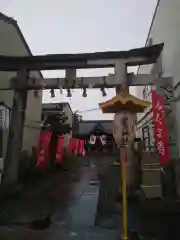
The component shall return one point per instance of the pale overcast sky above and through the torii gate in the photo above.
(77, 26)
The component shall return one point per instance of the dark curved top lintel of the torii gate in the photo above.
(139, 56)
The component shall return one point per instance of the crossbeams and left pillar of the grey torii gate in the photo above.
(120, 60)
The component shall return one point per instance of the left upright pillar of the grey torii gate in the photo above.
(15, 139)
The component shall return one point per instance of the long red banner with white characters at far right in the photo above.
(160, 130)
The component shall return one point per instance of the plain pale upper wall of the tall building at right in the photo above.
(165, 28)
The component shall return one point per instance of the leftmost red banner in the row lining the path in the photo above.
(43, 148)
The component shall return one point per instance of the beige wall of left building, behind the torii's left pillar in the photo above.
(11, 44)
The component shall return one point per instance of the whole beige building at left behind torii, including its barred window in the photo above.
(14, 44)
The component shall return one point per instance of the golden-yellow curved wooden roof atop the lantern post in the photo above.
(124, 102)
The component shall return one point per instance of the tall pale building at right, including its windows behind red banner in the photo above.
(164, 29)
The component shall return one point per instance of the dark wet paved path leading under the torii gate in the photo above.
(69, 202)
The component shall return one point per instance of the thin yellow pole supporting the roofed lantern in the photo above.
(124, 195)
